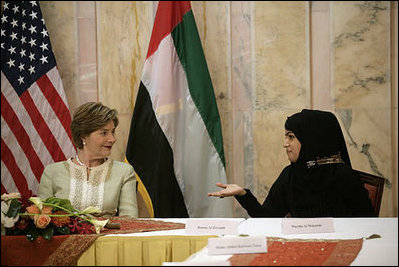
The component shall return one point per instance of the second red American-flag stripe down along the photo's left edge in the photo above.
(9, 160)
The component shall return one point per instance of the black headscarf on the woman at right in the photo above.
(320, 135)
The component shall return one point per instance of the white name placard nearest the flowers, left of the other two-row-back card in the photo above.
(211, 227)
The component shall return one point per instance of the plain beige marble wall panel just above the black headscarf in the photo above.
(281, 55)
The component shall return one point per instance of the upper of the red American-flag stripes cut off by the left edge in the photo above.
(23, 138)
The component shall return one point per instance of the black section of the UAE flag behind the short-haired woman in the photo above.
(150, 154)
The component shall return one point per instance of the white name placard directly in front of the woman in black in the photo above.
(307, 226)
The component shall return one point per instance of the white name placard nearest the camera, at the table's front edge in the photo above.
(237, 245)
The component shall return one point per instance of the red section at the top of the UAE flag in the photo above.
(169, 14)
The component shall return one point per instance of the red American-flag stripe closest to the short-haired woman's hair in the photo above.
(56, 102)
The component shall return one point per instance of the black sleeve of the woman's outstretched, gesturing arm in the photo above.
(275, 204)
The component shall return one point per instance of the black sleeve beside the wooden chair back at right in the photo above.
(356, 195)
